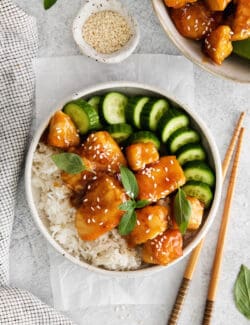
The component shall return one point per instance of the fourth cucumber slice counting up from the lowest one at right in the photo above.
(181, 137)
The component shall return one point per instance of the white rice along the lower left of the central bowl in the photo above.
(109, 251)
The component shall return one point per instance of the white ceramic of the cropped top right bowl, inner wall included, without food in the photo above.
(234, 68)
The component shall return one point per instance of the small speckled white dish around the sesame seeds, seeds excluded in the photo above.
(94, 6)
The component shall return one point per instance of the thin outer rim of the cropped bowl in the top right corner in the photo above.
(188, 56)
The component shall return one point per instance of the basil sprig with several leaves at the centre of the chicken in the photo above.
(128, 220)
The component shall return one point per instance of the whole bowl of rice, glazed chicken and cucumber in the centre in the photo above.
(123, 179)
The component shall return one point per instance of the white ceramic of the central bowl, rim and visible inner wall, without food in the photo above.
(129, 88)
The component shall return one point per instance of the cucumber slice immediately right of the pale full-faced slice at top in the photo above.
(134, 108)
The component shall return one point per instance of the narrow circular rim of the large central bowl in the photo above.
(102, 87)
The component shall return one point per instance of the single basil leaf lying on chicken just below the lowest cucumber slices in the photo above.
(182, 210)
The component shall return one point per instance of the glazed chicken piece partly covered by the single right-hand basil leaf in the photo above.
(197, 210)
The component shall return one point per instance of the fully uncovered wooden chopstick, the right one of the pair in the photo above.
(222, 236)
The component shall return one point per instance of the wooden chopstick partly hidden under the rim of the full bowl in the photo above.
(191, 266)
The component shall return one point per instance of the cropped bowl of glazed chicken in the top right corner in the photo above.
(215, 34)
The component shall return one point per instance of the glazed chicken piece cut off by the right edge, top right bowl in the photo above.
(241, 22)
